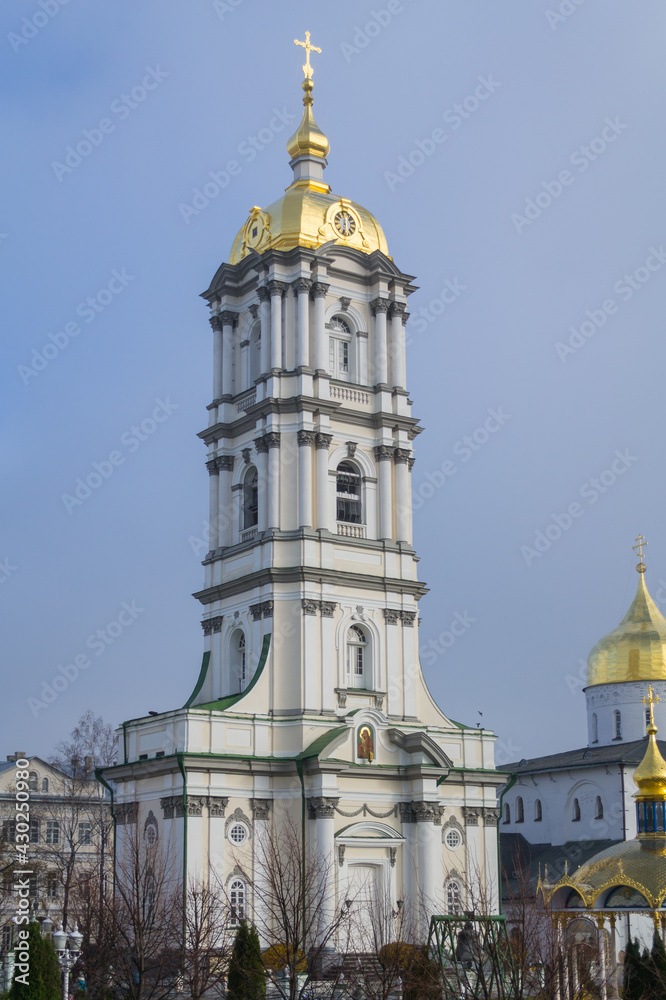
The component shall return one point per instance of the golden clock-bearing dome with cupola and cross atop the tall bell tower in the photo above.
(308, 214)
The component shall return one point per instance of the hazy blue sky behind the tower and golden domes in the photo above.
(539, 209)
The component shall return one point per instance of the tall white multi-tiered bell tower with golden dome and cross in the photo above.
(310, 693)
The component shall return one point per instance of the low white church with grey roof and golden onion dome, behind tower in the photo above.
(580, 801)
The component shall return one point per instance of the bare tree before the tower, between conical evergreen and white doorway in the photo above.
(294, 906)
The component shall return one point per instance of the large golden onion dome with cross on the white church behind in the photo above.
(636, 649)
